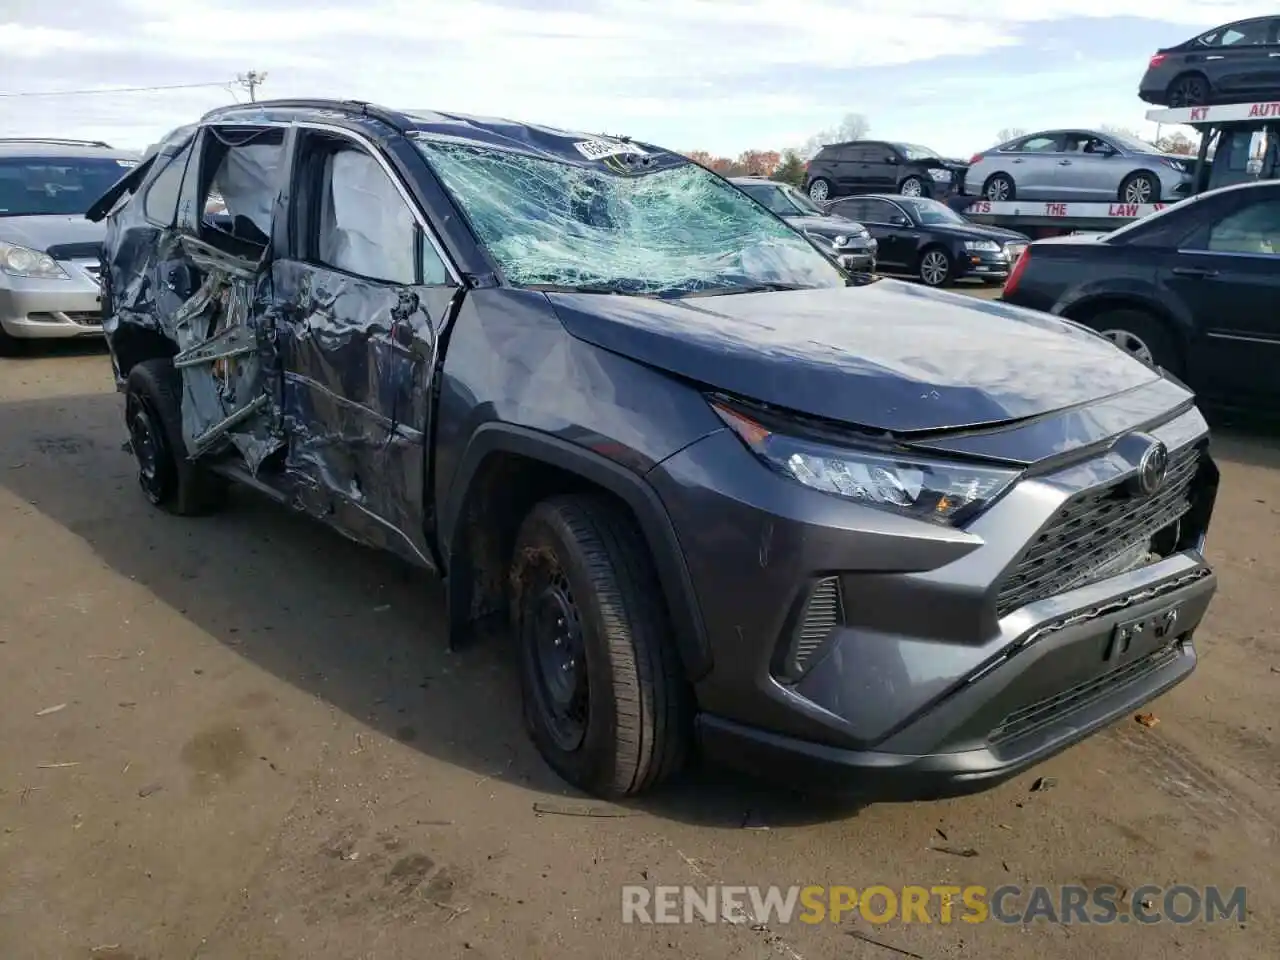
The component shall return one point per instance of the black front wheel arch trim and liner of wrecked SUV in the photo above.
(506, 470)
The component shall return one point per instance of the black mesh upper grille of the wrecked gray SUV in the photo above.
(1091, 531)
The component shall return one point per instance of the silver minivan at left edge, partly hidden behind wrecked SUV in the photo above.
(48, 250)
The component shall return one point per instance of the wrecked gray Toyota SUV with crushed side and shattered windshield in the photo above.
(839, 532)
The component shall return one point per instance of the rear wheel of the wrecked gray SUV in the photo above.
(153, 412)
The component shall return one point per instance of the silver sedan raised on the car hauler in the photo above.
(1084, 166)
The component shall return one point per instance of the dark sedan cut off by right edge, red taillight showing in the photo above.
(1191, 290)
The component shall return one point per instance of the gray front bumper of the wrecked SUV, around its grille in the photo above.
(921, 688)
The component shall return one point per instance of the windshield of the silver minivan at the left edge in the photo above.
(52, 186)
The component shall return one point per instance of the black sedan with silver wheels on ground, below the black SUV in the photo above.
(931, 240)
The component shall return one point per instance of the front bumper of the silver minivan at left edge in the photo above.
(39, 309)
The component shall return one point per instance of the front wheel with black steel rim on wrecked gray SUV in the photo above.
(605, 698)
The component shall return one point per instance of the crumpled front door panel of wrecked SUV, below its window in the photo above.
(355, 356)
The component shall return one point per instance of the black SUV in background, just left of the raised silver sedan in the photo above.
(881, 167)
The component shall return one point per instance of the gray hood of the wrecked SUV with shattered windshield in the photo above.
(888, 355)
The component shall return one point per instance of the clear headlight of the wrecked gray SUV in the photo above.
(909, 486)
